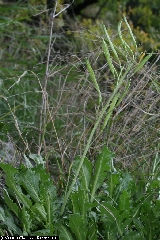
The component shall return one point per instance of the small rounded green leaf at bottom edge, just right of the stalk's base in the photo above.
(78, 226)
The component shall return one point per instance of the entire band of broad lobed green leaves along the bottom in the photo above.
(105, 203)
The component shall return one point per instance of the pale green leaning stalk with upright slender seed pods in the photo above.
(115, 99)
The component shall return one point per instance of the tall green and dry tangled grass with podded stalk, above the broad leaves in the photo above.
(66, 105)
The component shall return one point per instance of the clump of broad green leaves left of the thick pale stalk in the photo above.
(30, 201)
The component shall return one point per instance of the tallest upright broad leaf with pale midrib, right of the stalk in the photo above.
(103, 164)
